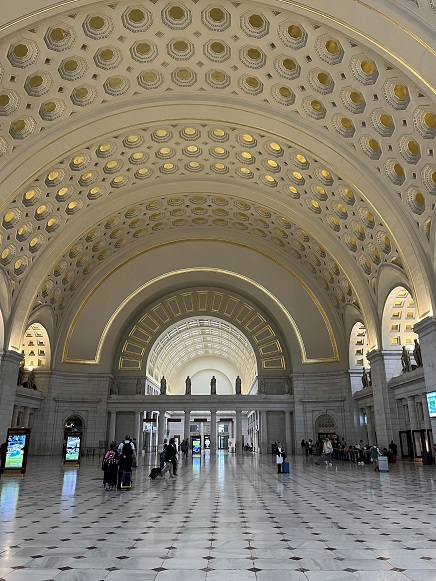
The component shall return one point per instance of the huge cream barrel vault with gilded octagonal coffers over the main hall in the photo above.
(329, 169)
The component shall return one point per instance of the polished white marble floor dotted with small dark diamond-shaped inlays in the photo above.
(224, 518)
